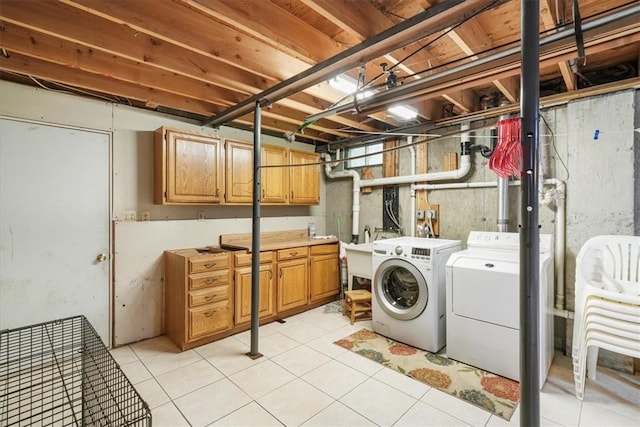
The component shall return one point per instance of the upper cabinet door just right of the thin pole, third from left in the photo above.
(274, 182)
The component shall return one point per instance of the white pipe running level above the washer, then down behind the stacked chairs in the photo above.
(558, 195)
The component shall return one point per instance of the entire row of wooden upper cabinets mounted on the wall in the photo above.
(193, 168)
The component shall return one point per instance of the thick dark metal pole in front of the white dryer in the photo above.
(529, 232)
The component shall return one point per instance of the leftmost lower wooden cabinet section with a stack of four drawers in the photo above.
(198, 296)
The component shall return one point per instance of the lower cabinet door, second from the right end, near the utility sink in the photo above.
(292, 284)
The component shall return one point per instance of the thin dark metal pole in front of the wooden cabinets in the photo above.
(255, 237)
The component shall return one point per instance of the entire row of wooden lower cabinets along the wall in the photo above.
(208, 292)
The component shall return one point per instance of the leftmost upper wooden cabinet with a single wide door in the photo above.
(188, 168)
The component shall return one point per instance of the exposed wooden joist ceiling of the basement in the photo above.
(201, 57)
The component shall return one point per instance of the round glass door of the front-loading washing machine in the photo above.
(401, 290)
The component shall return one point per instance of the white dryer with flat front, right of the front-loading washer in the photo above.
(483, 304)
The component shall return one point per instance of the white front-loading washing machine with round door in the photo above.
(408, 302)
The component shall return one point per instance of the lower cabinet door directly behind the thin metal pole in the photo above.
(243, 293)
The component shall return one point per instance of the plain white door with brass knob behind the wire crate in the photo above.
(54, 225)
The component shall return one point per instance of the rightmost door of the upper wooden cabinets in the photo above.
(304, 181)
